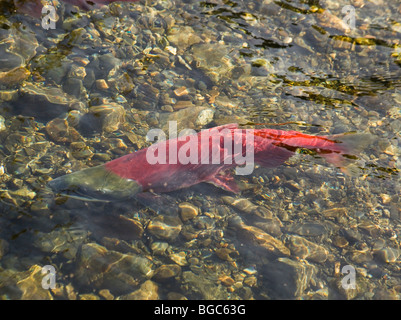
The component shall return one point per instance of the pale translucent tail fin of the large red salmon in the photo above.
(346, 149)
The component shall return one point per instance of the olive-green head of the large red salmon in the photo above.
(95, 184)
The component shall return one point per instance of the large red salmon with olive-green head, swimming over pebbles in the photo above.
(206, 156)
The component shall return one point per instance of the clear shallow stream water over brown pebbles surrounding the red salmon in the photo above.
(90, 90)
